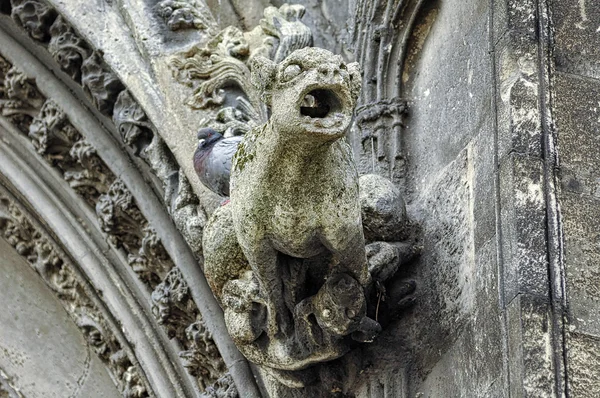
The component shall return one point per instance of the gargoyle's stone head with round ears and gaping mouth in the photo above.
(311, 91)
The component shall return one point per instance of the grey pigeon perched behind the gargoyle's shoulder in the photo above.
(212, 159)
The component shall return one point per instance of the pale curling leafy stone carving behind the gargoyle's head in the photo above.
(219, 73)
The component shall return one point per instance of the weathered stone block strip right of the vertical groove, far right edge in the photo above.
(576, 92)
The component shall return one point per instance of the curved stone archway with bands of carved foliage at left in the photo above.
(116, 215)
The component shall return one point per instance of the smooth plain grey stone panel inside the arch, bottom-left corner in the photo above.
(42, 351)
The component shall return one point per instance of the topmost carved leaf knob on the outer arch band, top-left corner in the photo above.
(35, 16)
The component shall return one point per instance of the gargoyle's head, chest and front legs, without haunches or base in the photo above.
(294, 184)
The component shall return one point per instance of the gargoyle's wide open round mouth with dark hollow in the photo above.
(322, 108)
